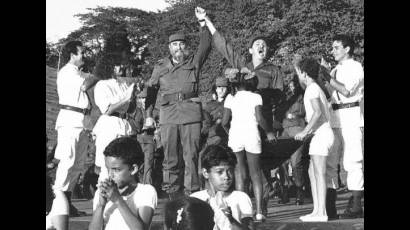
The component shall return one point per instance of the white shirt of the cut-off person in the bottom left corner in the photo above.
(60, 207)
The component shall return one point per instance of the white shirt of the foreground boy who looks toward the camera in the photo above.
(238, 201)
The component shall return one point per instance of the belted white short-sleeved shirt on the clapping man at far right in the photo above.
(350, 73)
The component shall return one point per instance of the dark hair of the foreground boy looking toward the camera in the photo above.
(215, 155)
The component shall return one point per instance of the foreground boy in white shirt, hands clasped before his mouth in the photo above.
(121, 203)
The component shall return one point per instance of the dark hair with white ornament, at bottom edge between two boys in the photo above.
(188, 213)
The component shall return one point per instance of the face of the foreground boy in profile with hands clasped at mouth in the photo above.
(122, 174)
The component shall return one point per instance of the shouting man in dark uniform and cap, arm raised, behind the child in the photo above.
(270, 79)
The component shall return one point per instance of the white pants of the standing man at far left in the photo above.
(71, 150)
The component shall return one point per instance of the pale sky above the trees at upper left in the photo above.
(60, 20)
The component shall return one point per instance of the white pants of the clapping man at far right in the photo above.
(347, 145)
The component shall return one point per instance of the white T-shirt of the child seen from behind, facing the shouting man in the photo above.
(242, 107)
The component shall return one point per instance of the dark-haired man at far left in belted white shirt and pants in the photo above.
(73, 103)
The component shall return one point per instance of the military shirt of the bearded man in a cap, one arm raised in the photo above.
(182, 78)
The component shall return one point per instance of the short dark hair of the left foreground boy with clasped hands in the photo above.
(127, 149)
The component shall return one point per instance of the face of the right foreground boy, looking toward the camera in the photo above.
(220, 177)
